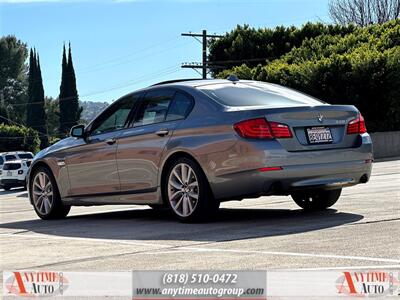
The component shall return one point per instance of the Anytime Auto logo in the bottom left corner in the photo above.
(36, 283)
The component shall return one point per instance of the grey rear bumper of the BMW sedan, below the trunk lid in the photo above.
(326, 169)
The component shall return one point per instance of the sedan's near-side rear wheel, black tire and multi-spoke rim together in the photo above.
(187, 193)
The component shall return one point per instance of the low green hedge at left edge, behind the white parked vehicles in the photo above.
(18, 138)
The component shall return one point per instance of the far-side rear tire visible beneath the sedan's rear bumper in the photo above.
(316, 199)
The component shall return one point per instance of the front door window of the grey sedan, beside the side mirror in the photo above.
(115, 117)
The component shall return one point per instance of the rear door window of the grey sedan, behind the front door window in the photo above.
(154, 108)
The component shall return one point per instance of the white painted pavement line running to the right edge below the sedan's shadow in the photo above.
(377, 259)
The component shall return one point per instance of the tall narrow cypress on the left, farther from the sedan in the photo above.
(36, 116)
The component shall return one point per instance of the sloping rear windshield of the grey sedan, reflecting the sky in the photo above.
(256, 94)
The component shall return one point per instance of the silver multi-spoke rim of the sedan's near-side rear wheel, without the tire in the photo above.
(183, 190)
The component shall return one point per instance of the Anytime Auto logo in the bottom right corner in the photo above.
(368, 284)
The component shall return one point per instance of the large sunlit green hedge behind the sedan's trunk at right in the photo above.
(360, 68)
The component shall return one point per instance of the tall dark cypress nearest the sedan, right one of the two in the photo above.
(70, 111)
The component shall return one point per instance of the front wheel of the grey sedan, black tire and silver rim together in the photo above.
(45, 196)
